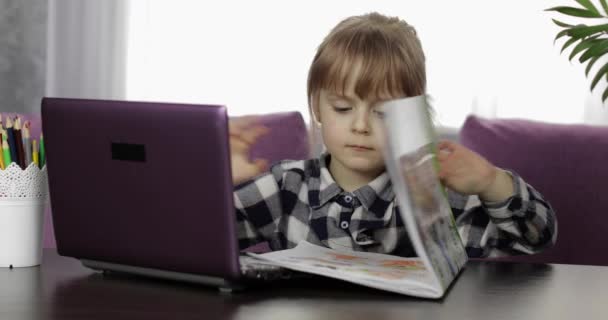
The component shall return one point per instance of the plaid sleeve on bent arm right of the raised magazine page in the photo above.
(522, 224)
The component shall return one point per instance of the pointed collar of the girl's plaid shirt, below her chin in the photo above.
(374, 197)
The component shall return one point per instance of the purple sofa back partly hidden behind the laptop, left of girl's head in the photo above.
(287, 139)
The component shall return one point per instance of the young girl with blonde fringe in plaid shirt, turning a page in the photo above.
(344, 198)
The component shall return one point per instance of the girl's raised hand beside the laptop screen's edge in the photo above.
(244, 132)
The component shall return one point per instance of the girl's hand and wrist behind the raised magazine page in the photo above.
(467, 172)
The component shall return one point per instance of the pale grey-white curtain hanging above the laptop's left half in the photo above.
(86, 49)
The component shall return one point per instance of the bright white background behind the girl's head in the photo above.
(495, 58)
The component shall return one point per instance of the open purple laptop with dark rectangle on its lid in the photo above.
(146, 188)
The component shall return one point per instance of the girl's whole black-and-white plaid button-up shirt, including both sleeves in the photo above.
(299, 200)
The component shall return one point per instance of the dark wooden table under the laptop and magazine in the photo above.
(62, 289)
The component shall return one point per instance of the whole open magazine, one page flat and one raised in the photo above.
(410, 156)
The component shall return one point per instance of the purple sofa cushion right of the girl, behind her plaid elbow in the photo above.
(565, 163)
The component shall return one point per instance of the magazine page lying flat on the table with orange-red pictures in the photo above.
(381, 271)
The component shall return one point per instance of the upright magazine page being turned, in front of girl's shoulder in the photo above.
(410, 155)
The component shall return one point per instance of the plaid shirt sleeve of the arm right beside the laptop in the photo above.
(258, 207)
